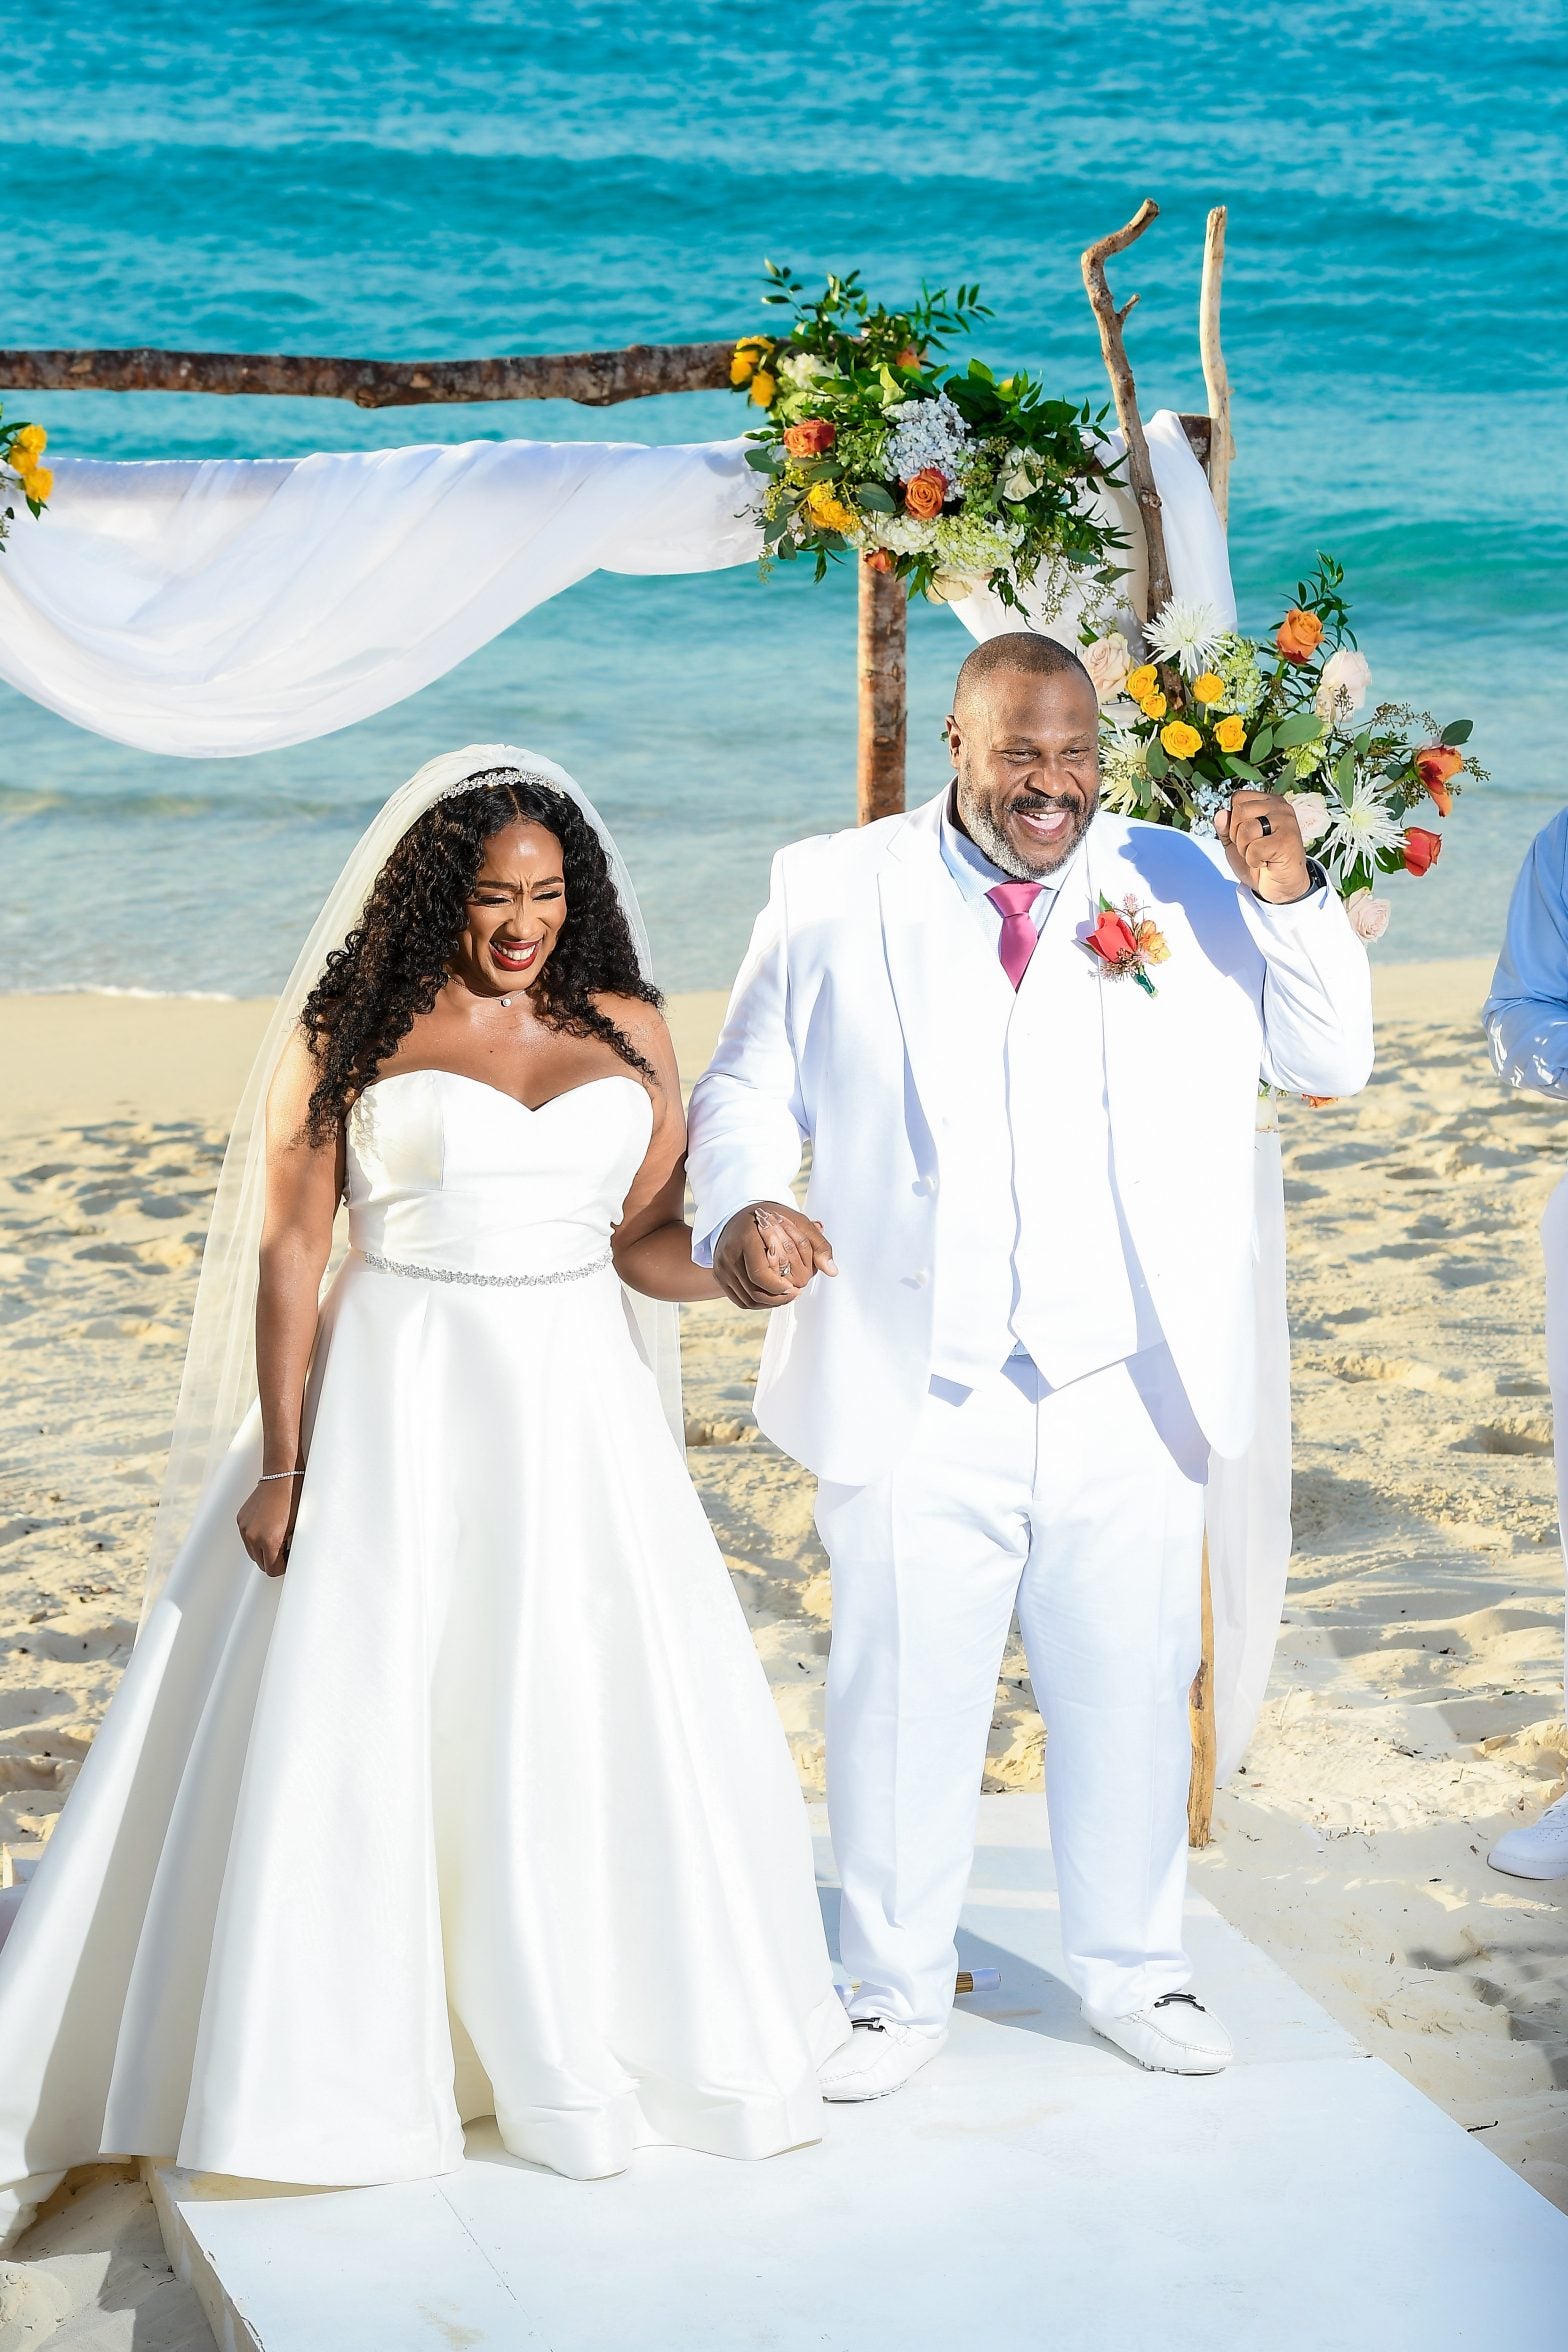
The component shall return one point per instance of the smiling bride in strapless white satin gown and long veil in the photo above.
(474, 1800)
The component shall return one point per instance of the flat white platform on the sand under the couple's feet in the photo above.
(1031, 2191)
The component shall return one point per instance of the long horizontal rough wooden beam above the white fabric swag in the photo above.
(591, 377)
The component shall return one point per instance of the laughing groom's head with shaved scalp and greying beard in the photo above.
(1024, 737)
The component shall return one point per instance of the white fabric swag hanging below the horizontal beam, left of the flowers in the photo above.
(232, 606)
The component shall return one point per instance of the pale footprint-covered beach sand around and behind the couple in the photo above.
(1416, 1702)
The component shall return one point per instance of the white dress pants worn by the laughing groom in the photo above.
(1080, 1509)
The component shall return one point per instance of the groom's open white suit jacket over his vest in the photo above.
(847, 1031)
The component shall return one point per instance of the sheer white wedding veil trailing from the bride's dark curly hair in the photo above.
(220, 1379)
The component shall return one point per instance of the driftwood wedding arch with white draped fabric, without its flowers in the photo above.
(225, 608)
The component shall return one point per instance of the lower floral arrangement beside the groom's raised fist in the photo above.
(1214, 711)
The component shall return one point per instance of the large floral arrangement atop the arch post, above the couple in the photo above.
(946, 479)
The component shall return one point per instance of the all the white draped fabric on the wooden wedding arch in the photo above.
(220, 608)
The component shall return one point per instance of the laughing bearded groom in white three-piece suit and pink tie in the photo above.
(1033, 1321)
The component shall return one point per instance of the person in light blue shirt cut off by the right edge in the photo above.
(1527, 1027)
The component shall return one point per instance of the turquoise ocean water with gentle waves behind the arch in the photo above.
(441, 178)
